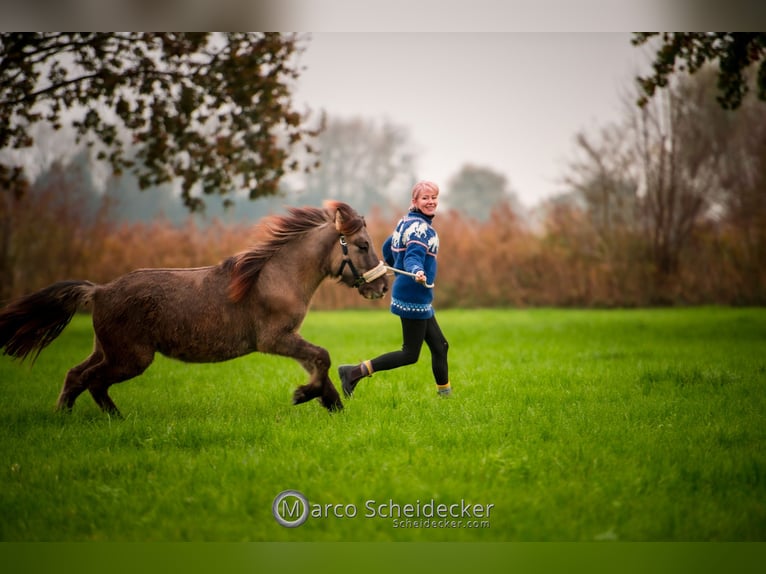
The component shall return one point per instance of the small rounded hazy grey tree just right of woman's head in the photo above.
(476, 190)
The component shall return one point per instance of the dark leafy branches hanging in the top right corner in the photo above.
(735, 52)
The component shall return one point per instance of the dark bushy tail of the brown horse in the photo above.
(31, 323)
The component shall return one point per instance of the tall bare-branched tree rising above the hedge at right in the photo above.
(650, 183)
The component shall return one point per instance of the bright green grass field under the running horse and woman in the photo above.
(631, 425)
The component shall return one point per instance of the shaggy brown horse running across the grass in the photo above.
(252, 301)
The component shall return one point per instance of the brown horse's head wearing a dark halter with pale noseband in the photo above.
(359, 265)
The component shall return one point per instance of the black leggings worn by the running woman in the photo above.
(414, 332)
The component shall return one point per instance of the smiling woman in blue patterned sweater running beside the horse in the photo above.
(411, 248)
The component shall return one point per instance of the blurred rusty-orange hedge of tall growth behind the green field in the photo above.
(57, 232)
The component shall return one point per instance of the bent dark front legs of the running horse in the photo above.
(316, 361)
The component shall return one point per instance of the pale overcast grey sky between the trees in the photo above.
(511, 102)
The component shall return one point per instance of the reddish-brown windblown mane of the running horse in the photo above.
(278, 230)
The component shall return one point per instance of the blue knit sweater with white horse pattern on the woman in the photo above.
(412, 247)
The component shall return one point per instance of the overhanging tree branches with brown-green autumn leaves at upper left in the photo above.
(213, 110)
